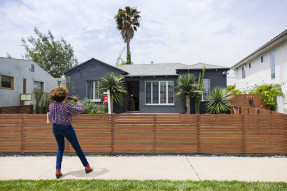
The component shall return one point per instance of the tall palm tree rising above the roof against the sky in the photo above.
(127, 22)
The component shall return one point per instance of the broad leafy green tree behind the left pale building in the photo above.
(54, 56)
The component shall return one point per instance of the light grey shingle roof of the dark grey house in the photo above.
(167, 69)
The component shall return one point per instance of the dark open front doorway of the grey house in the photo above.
(132, 96)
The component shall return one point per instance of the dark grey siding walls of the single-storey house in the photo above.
(86, 72)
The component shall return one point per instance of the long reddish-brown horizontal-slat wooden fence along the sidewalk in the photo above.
(150, 133)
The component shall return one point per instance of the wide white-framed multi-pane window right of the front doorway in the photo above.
(160, 92)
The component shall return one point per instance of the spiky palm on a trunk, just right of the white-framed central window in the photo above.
(187, 87)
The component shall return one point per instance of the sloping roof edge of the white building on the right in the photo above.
(273, 42)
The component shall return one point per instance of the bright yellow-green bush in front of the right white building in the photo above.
(268, 93)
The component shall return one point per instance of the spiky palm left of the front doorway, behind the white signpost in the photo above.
(115, 83)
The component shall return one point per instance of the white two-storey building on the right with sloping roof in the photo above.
(267, 64)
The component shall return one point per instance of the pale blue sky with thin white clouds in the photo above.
(218, 32)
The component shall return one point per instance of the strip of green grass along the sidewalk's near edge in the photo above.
(124, 185)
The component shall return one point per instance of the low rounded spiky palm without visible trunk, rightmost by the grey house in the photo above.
(218, 101)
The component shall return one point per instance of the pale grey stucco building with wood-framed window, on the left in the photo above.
(18, 76)
